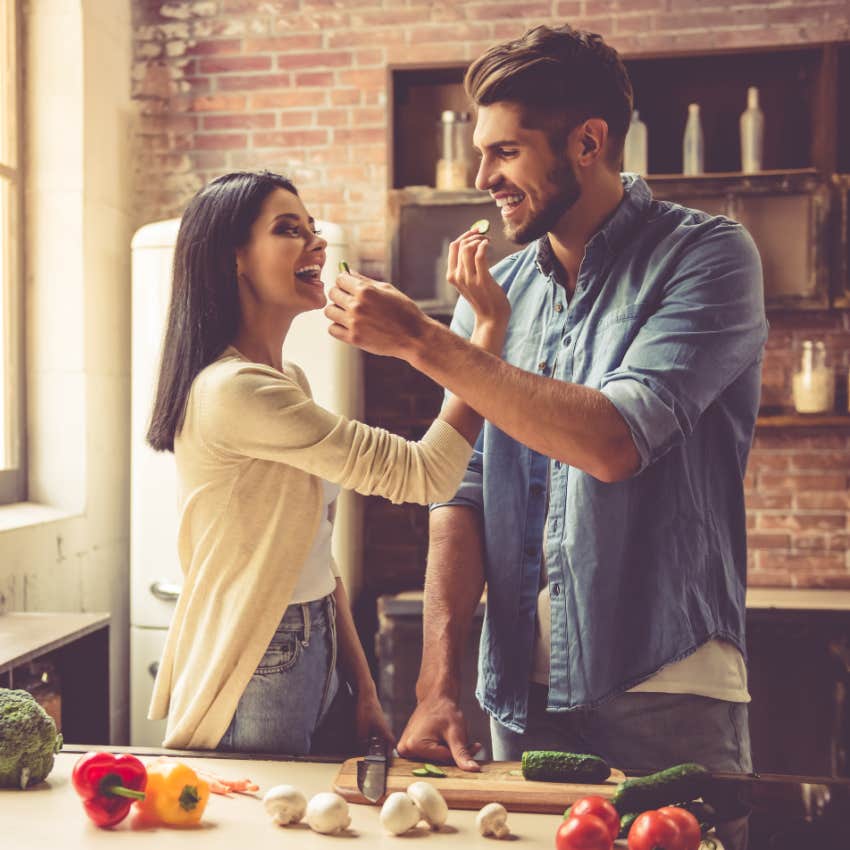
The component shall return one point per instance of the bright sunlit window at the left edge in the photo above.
(12, 473)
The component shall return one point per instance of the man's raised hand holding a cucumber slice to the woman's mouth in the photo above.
(374, 316)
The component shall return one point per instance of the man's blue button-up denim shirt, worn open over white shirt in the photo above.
(667, 320)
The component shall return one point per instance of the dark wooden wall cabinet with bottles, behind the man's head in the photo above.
(796, 210)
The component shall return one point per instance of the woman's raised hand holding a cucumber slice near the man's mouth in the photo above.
(469, 273)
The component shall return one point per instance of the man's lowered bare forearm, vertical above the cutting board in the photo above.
(453, 584)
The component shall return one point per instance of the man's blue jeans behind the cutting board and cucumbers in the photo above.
(641, 732)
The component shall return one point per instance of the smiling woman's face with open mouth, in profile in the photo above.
(280, 266)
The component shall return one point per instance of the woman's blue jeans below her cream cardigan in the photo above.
(293, 686)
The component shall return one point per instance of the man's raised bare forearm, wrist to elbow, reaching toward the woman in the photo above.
(572, 423)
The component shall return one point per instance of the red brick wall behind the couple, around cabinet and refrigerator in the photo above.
(299, 86)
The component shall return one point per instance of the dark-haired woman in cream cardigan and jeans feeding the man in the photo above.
(250, 662)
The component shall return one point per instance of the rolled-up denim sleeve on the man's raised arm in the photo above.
(709, 327)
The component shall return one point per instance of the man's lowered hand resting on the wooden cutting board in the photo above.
(436, 732)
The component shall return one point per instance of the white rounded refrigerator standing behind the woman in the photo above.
(335, 374)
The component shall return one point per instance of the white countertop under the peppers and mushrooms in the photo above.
(51, 816)
